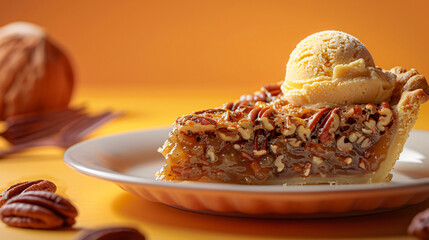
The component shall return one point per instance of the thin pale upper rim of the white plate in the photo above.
(118, 177)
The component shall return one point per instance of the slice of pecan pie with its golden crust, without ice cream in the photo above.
(264, 138)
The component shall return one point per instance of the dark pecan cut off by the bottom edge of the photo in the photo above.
(112, 233)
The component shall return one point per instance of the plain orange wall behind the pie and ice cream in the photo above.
(226, 47)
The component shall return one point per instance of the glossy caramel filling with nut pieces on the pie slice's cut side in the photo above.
(355, 146)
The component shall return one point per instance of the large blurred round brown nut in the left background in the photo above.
(35, 74)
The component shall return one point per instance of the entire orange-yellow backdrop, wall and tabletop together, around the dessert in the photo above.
(157, 60)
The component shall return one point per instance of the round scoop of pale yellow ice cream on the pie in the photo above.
(334, 68)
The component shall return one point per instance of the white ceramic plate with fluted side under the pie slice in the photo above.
(131, 160)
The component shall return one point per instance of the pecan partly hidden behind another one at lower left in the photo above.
(16, 189)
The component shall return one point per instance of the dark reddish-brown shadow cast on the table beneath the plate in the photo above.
(392, 223)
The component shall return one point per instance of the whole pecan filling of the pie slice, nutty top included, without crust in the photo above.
(263, 140)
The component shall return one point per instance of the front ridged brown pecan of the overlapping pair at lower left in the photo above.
(38, 209)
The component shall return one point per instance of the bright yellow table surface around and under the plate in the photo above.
(101, 203)
